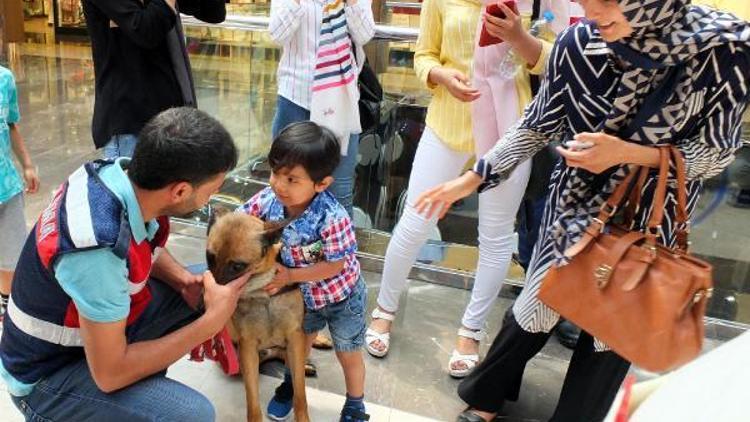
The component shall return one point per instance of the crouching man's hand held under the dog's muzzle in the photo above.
(220, 301)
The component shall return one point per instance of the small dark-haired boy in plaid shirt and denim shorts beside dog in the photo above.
(318, 253)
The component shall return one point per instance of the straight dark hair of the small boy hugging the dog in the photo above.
(309, 145)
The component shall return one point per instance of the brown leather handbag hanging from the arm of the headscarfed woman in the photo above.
(644, 300)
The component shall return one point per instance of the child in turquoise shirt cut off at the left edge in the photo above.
(12, 221)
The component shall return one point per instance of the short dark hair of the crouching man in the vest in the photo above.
(181, 145)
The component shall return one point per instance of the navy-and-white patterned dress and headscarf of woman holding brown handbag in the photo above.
(593, 86)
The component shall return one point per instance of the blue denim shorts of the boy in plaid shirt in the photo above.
(345, 320)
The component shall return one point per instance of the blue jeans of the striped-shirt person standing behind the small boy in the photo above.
(342, 188)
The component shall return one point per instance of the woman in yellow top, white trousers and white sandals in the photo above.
(443, 61)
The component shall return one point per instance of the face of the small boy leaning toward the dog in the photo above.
(294, 187)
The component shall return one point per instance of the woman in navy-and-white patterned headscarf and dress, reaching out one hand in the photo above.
(635, 75)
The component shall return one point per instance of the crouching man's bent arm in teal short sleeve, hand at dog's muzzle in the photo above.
(96, 280)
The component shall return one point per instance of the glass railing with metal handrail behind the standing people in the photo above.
(235, 67)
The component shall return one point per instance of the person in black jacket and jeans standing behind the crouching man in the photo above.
(141, 65)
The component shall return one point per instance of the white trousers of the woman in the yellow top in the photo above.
(434, 164)
